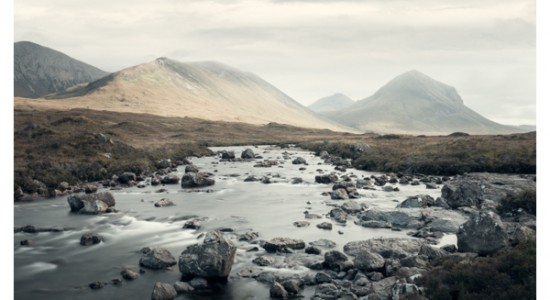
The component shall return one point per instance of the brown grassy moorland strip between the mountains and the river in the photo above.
(80, 145)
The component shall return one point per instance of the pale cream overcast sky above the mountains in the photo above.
(310, 49)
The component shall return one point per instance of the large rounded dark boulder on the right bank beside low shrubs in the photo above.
(484, 234)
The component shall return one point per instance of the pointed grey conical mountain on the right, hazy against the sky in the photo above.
(413, 103)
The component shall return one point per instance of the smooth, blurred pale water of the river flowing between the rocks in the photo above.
(56, 266)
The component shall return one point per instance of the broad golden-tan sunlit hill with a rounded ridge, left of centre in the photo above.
(205, 90)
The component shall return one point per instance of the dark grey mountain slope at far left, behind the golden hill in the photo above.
(39, 71)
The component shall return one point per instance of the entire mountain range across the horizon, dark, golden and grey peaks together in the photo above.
(411, 103)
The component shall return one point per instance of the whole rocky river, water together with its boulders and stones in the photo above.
(258, 223)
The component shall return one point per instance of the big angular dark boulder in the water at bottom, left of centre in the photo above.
(211, 260)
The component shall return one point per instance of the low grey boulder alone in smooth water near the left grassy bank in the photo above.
(91, 203)
